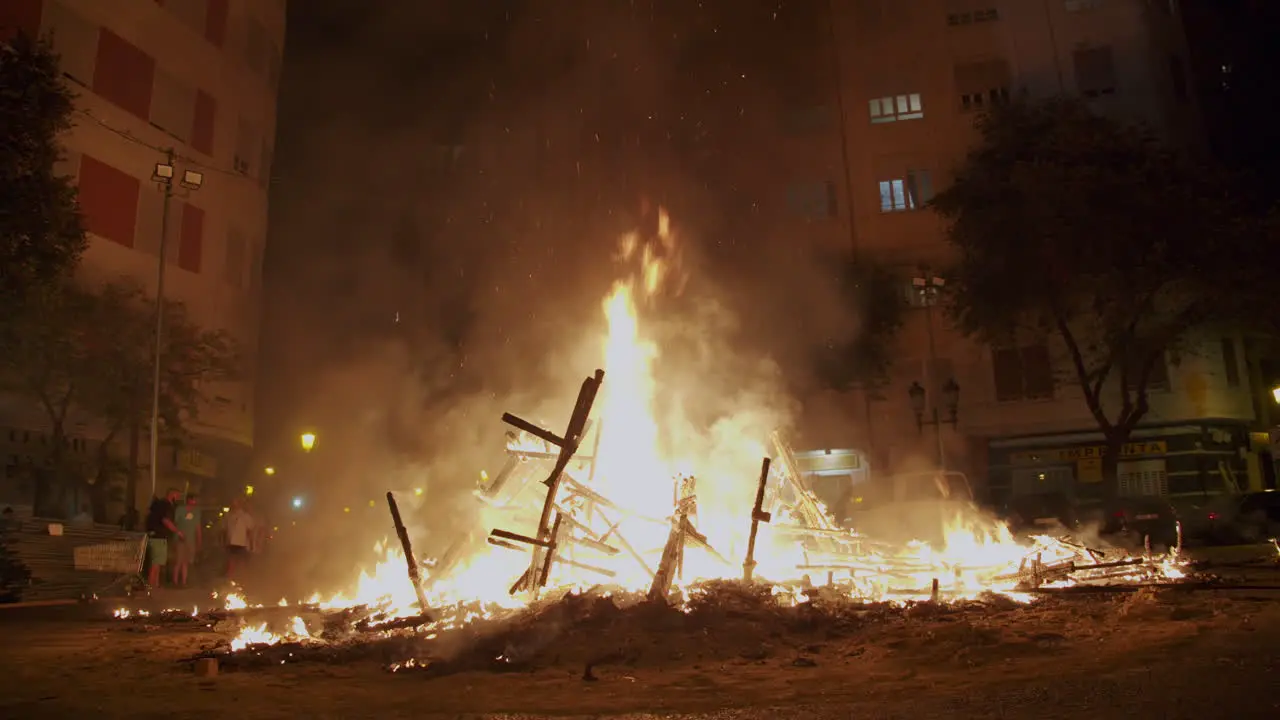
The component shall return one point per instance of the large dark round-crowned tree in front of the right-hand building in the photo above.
(1072, 227)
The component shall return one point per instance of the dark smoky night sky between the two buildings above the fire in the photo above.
(467, 168)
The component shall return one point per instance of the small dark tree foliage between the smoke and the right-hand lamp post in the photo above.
(874, 293)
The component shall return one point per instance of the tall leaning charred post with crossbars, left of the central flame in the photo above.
(545, 550)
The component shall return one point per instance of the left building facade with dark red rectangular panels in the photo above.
(200, 79)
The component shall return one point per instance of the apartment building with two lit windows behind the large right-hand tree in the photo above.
(913, 76)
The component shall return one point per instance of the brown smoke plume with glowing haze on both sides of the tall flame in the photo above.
(451, 186)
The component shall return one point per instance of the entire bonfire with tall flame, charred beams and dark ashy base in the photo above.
(578, 541)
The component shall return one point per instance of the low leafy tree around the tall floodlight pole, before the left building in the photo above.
(90, 353)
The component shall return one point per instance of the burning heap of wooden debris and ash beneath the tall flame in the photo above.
(833, 572)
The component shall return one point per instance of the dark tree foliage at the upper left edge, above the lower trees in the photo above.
(42, 235)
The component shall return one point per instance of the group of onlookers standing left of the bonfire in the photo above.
(176, 537)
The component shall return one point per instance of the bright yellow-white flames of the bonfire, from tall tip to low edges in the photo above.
(633, 484)
